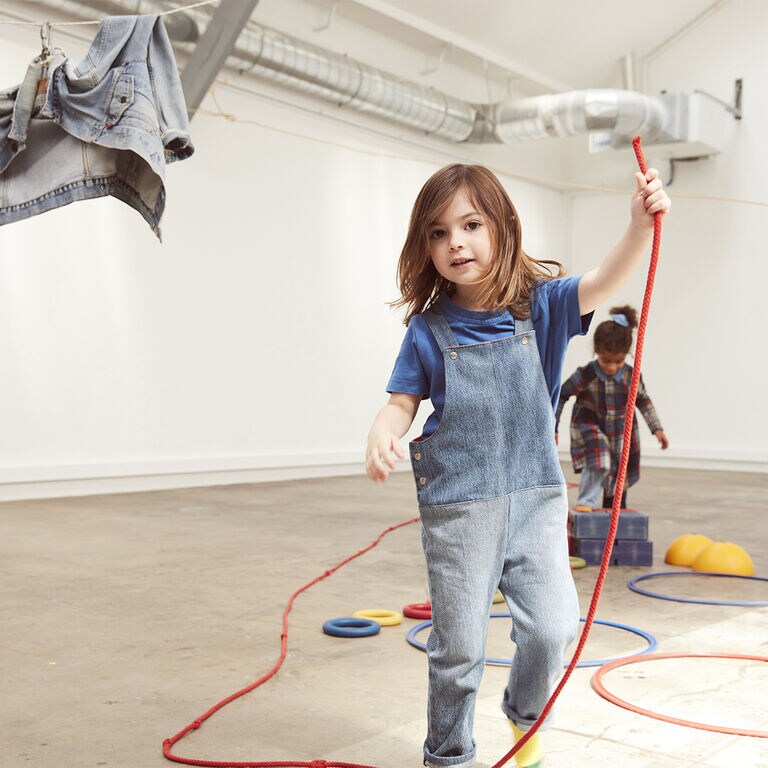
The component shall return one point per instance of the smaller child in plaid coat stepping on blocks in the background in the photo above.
(601, 389)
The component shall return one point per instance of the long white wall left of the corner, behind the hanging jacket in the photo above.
(254, 343)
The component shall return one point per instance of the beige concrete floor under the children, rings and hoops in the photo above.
(126, 617)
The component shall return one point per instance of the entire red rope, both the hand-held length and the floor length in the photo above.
(621, 476)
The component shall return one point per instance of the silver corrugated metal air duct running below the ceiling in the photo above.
(280, 58)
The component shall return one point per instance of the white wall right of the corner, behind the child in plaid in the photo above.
(705, 360)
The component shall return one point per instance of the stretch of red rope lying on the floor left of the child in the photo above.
(168, 743)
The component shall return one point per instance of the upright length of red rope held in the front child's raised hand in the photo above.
(629, 416)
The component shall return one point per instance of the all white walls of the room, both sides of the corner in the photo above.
(255, 342)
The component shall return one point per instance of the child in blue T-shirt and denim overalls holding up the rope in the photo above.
(487, 331)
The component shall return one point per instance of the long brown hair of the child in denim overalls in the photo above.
(512, 275)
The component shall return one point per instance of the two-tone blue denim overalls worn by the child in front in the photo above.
(493, 507)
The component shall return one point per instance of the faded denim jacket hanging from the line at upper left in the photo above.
(107, 126)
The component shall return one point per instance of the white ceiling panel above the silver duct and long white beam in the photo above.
(562, 44)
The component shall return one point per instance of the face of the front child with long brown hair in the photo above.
(460, 244)
